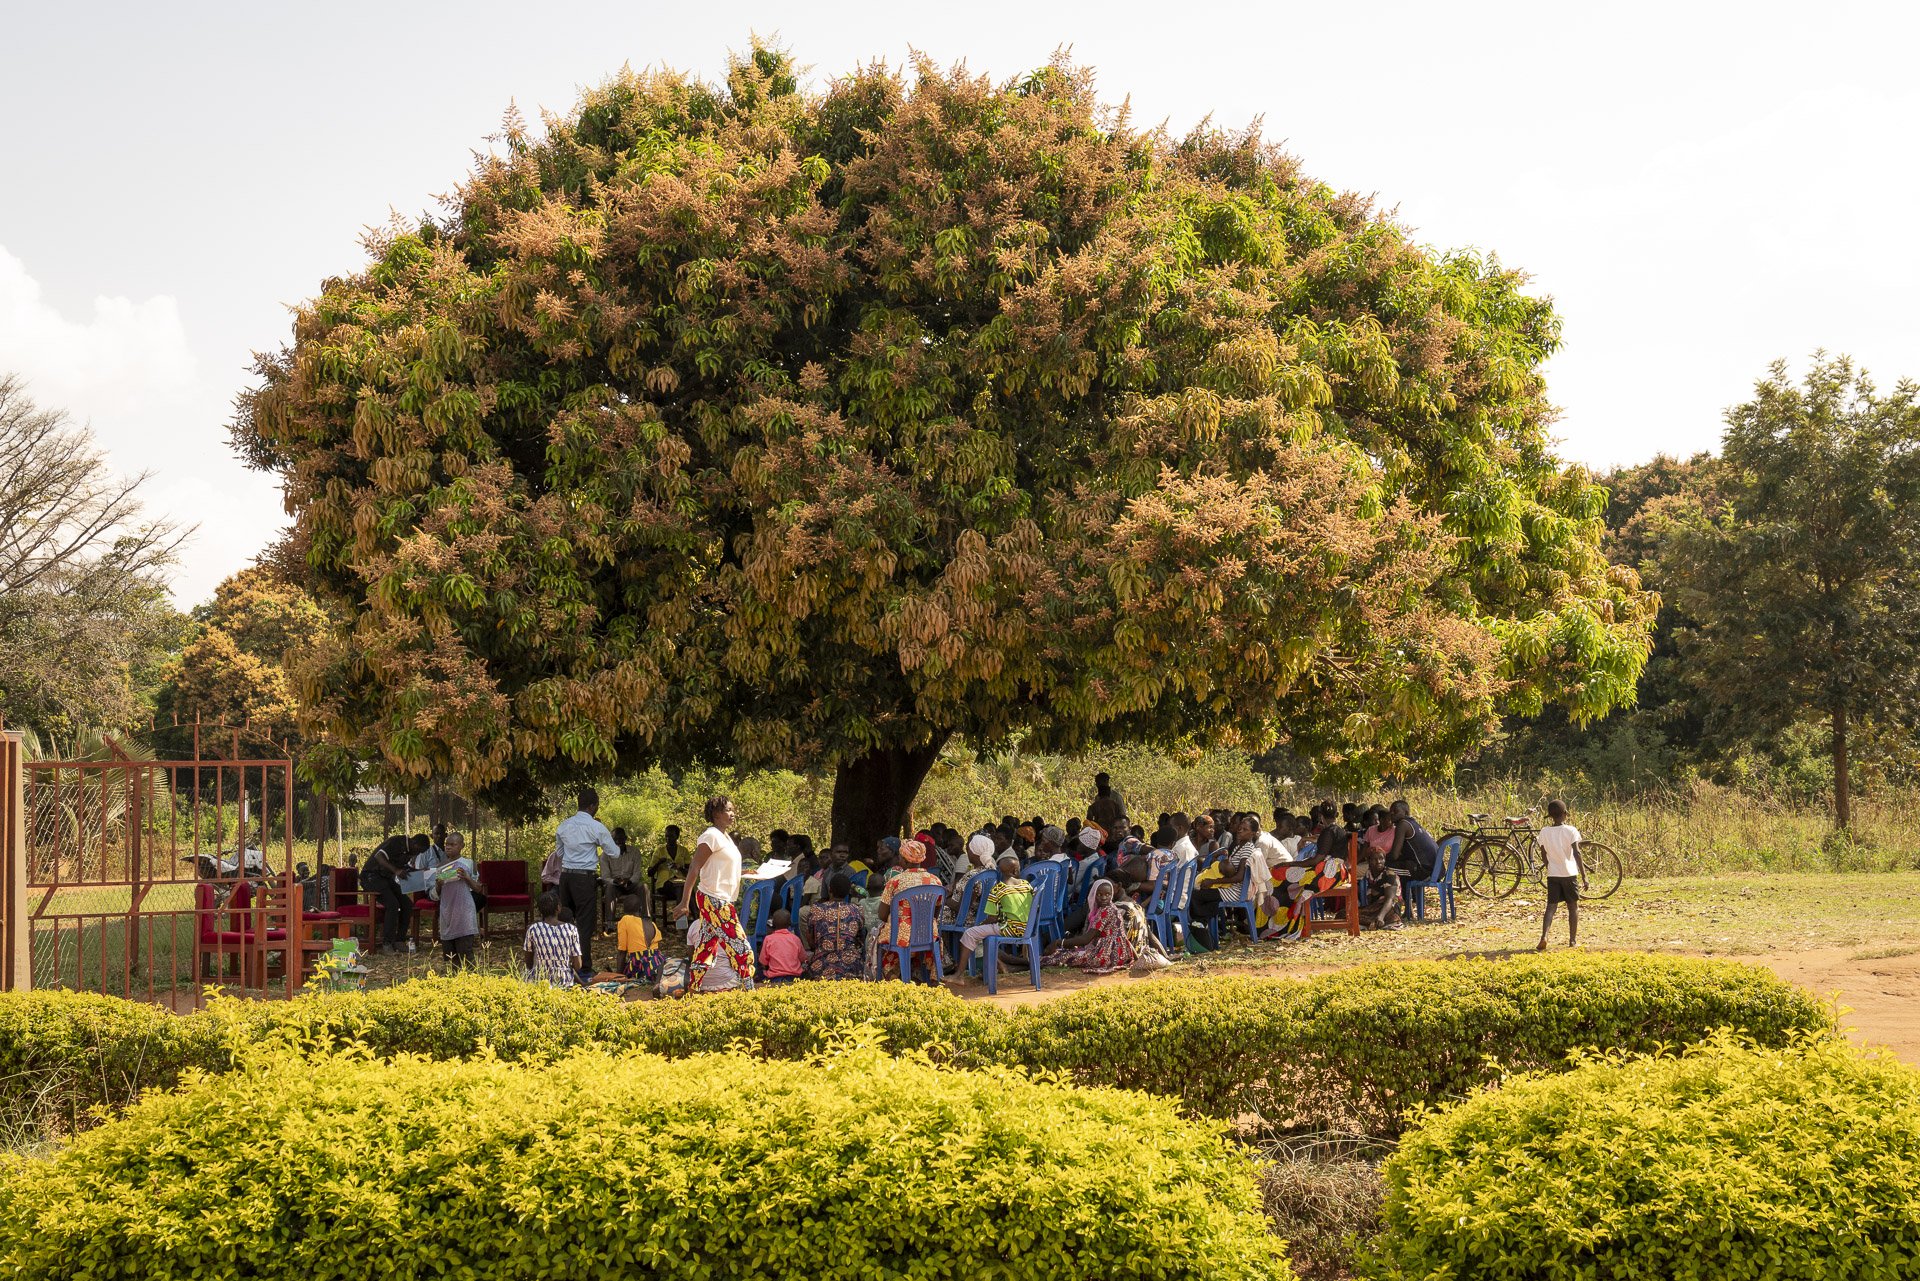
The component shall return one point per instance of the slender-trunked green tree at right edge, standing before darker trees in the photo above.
(1802, 587)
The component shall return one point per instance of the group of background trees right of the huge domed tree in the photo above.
(1785, 654)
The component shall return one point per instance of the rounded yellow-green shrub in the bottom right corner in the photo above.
(1731, 1163)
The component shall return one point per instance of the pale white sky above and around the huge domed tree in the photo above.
(1702, 189)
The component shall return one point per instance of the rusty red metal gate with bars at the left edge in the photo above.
(116, 867)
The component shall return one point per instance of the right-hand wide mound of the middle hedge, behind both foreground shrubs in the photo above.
(1360, 1048)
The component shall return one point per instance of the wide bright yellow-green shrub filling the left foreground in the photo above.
(857, 1165)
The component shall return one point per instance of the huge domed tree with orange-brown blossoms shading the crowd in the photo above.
(765, 425)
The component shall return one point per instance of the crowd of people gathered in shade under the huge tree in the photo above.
(1207, 871)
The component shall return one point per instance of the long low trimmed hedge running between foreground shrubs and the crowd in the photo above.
(1353, 1050)
